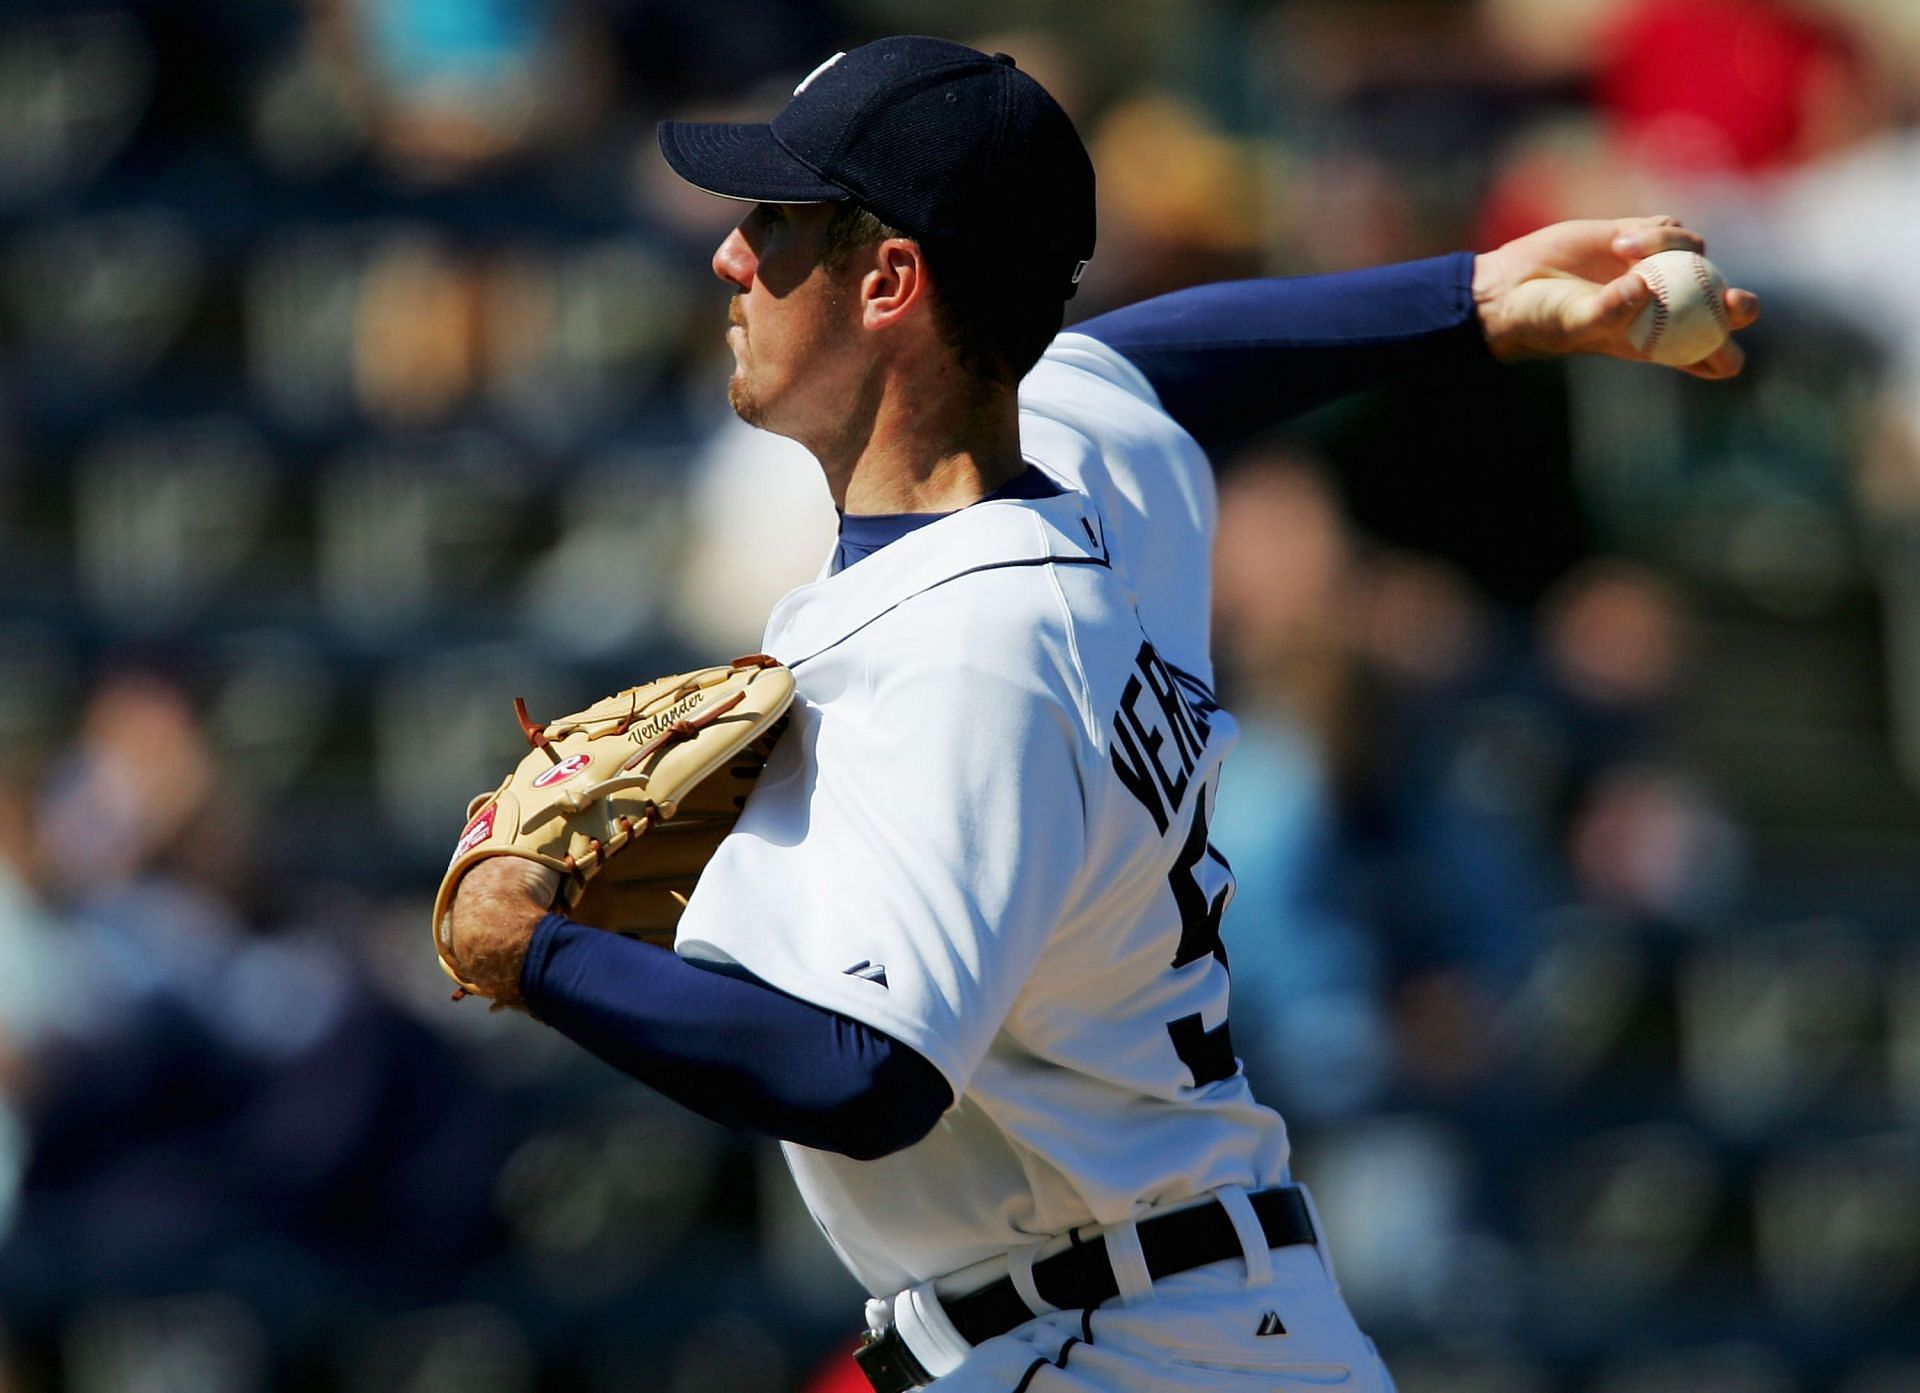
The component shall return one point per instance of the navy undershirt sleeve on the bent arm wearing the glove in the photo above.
(729, 1047)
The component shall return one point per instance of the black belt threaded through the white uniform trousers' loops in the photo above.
(1084, 1277)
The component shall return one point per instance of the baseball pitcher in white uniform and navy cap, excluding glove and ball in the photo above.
(963, 951)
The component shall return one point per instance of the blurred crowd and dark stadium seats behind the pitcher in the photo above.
(362, 369)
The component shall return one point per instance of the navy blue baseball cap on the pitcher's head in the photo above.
(957, 149)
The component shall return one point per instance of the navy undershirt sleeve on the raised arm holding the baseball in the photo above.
(1243, 356)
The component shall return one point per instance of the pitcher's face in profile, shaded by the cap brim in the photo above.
(790, 323)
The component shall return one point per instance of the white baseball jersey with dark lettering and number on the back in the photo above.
(986, 834)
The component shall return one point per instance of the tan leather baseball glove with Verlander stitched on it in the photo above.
(627, 799)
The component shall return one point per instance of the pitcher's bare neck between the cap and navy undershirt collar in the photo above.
(928, 452)
